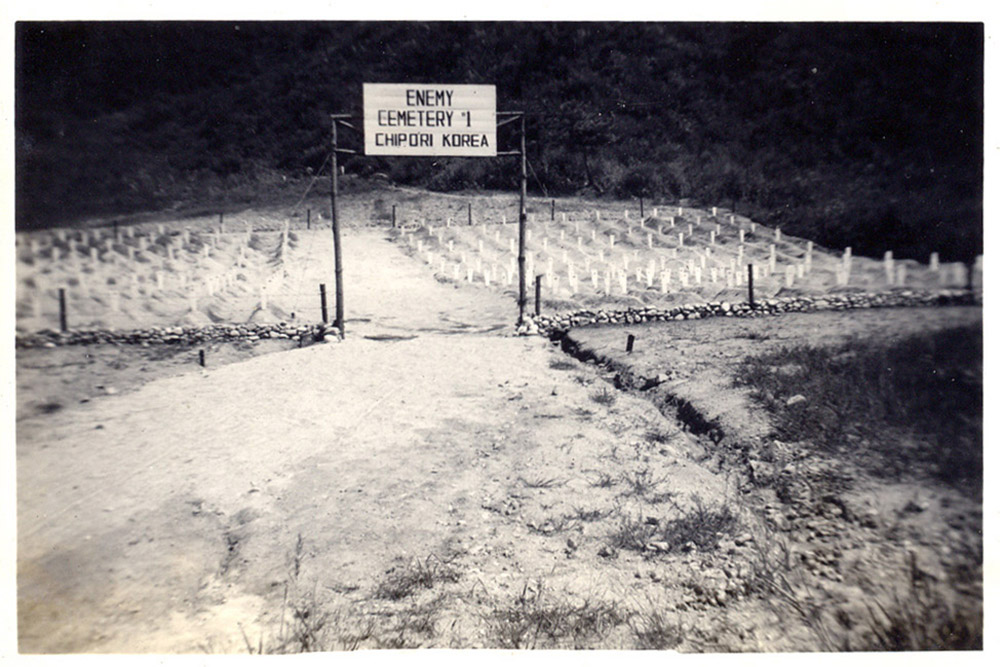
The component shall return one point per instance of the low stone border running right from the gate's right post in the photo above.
(555, 325)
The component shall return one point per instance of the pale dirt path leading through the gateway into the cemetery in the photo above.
(166, 519)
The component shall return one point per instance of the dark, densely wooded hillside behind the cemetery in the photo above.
(867, 135)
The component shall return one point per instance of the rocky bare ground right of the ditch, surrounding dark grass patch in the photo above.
(845, 525)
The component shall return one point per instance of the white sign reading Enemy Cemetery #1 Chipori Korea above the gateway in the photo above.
(430, 119)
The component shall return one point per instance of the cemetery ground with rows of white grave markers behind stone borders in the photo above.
(266, 266)
